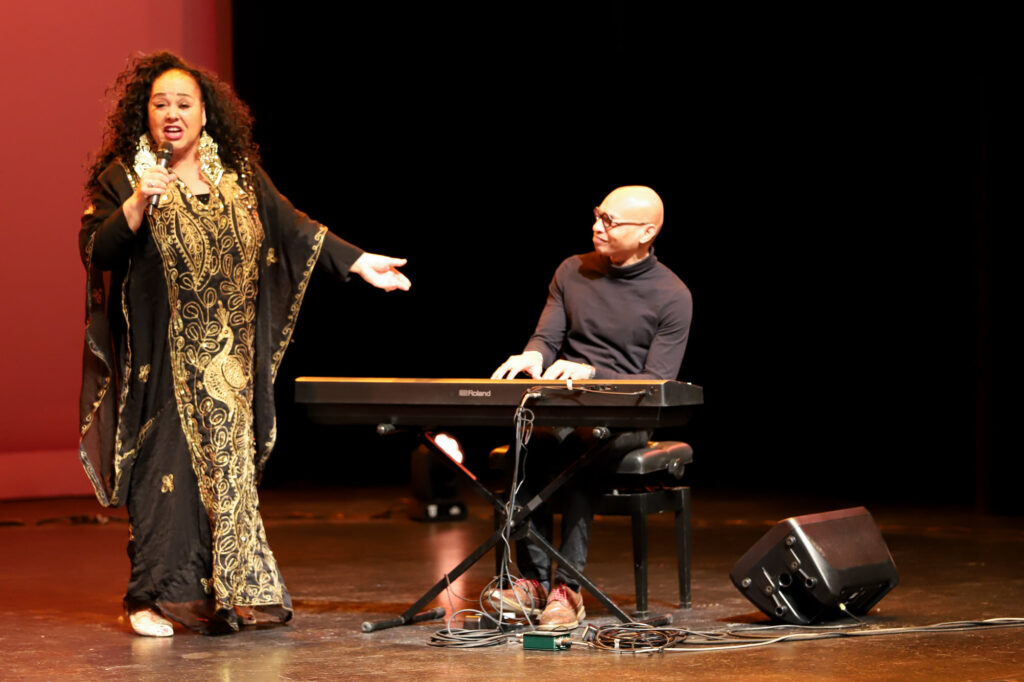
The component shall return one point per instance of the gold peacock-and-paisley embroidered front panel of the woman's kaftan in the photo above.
(211, 264)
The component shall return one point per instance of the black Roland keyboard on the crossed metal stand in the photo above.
(619, 404)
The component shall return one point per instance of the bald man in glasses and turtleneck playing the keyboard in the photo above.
(614, 314)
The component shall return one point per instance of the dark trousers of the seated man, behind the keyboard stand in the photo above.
(549, 452)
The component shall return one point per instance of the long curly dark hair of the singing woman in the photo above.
(228, 118)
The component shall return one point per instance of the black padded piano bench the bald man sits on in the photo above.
(644, 482)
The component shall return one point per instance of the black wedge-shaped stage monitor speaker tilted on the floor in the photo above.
(809, 569)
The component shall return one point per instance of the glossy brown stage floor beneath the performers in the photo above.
(353, 556)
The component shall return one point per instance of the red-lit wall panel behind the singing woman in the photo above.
(58, 58)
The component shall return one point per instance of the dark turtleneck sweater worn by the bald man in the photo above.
(629, 323)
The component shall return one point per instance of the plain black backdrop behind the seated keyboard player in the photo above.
(839, 199)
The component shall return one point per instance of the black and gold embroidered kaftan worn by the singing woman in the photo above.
(189, 320)
